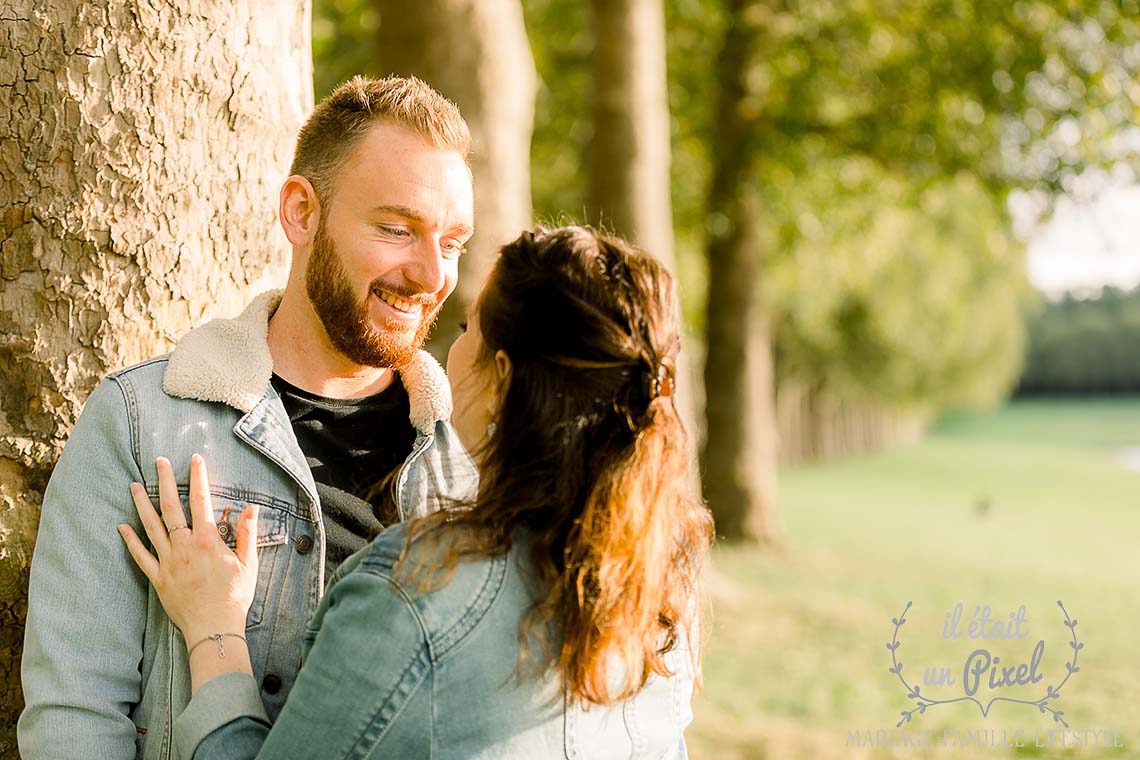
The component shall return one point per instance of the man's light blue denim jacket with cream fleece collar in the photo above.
(104, 671)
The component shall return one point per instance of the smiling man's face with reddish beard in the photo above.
(387, 251)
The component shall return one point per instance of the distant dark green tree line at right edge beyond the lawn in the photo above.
(1086, 347)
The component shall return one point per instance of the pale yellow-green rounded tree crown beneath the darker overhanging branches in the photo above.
(901, 300)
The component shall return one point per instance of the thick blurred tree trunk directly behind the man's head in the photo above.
(477, 54)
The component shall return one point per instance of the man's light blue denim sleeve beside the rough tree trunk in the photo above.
(87, 601)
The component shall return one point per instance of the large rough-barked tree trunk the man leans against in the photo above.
(142, 146)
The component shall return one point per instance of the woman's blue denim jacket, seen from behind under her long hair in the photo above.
(393, 672)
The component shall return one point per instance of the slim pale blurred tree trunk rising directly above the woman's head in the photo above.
(628, 157)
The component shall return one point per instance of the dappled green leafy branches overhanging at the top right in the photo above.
(1019, 94)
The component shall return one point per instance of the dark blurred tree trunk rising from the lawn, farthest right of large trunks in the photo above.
(740, 455)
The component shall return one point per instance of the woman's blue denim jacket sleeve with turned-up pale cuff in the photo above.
(369, 661)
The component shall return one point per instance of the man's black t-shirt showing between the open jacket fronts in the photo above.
(352, 446)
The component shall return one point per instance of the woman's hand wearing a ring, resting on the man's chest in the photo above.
(206, 587)
